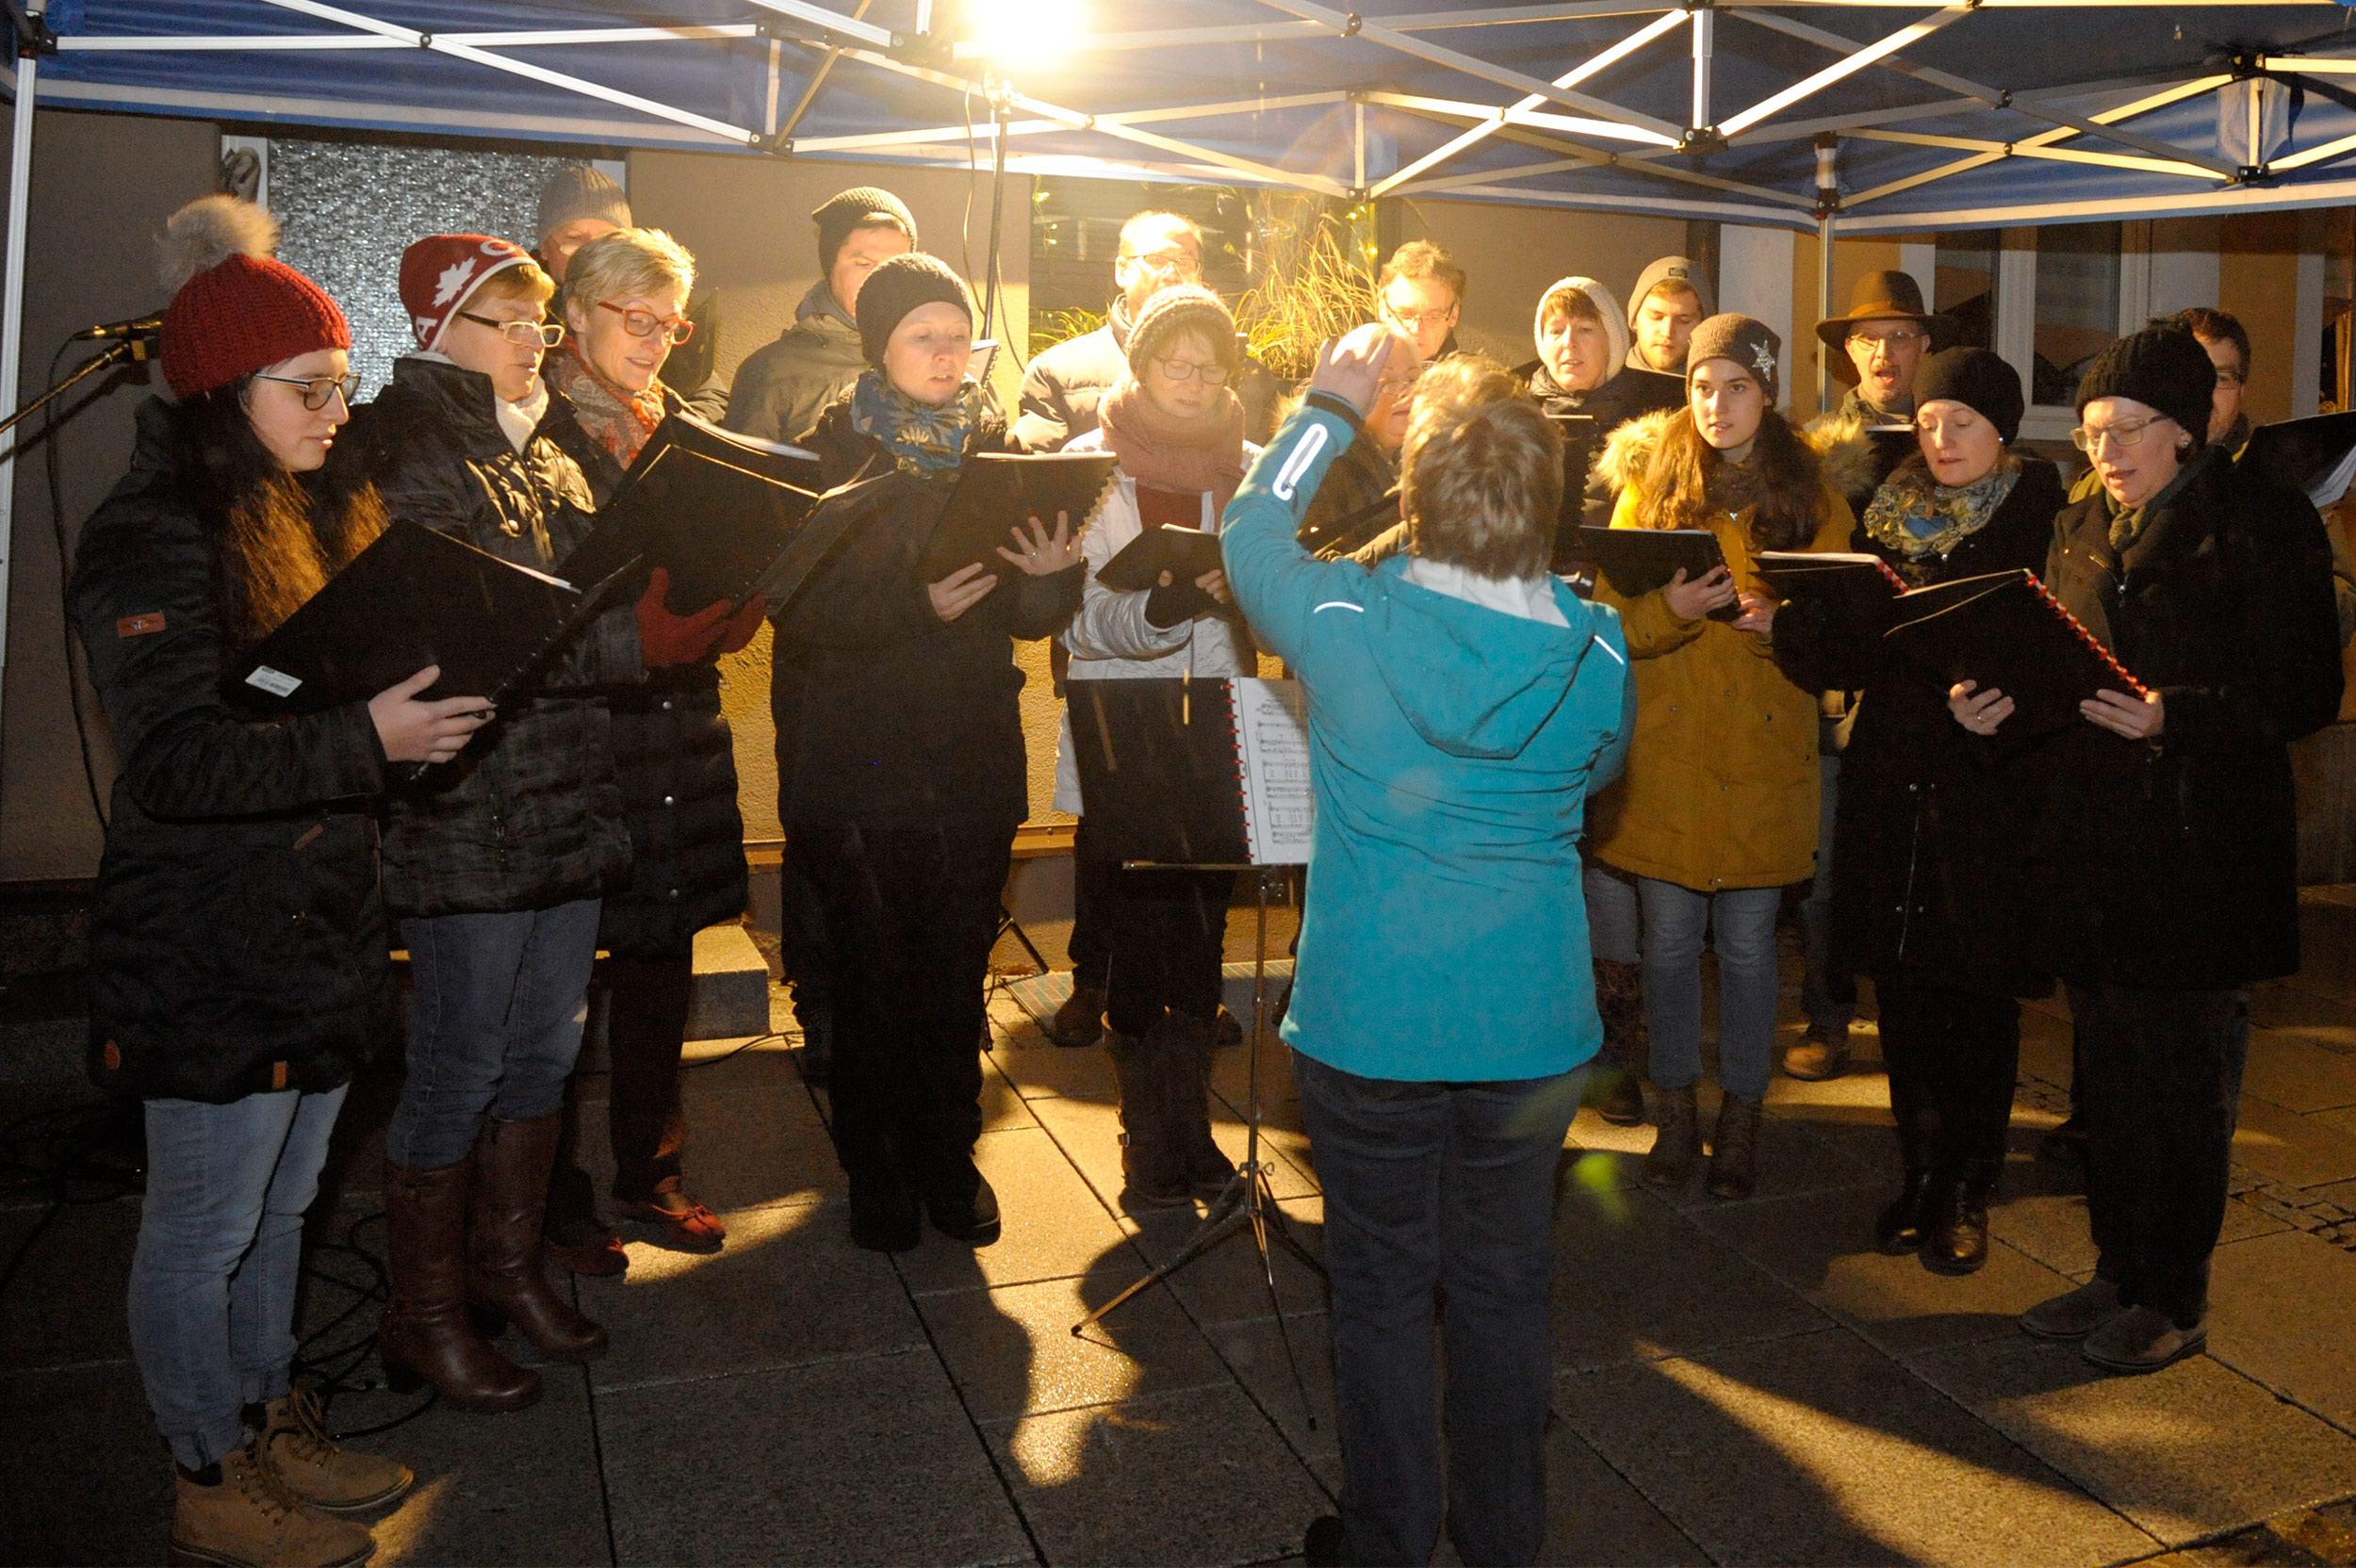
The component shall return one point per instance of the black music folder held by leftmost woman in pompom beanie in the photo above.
(406, 602)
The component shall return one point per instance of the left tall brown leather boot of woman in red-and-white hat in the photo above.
(425, 1334)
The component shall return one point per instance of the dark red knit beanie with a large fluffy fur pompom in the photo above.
(237, 310)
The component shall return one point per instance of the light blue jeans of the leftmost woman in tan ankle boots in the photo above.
(220, 1249)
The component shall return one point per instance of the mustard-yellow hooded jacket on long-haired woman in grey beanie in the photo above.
(1723, 776)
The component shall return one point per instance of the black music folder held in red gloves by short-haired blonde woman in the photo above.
(710, 507)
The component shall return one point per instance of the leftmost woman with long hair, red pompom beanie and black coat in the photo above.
(239, 950)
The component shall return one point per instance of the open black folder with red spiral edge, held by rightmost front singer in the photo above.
(2011, 634)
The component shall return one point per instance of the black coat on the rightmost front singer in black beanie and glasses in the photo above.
(2173, 865)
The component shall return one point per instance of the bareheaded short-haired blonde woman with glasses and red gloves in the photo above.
(626, 310)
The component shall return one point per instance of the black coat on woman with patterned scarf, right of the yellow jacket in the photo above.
(1926, 842)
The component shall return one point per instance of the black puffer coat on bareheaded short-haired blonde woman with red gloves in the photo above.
(677, 769)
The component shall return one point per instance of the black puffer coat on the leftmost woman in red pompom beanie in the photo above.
(237, 941)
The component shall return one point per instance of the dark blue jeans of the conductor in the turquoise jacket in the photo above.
(1441, 1188)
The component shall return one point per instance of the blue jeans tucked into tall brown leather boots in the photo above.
(496, 1025)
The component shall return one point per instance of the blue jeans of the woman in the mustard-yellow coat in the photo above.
(1742, 931)
